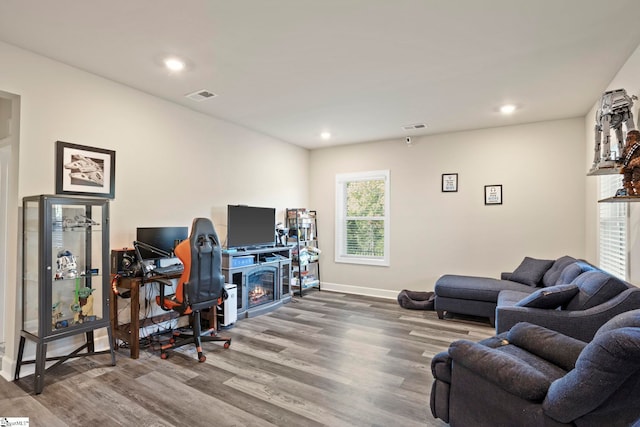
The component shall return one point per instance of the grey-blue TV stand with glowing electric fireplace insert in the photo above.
(262, 276)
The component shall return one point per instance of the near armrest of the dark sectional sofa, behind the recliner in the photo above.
(579, 324)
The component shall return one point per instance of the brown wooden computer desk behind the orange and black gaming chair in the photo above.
(130, 332)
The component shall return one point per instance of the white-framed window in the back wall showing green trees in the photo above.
(362, 218)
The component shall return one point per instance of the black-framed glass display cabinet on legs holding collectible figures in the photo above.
(65, 281)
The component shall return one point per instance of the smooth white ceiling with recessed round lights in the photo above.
(360, 68)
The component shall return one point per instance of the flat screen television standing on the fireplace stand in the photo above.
(250, 226)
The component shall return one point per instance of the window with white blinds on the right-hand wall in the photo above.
(612, 228)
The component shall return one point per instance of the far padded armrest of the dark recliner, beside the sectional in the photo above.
(552, 346)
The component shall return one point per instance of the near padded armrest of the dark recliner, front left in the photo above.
(500, 368)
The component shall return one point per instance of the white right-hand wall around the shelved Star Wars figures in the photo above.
(627, 78)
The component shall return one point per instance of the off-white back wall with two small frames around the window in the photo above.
(541, 169)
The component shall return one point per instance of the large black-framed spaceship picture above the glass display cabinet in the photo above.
(86, 171)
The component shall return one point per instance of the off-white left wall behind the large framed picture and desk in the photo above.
(172, 164)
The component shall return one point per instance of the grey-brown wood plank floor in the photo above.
(326, 359)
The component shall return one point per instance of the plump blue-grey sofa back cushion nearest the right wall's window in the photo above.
(596, 287)
